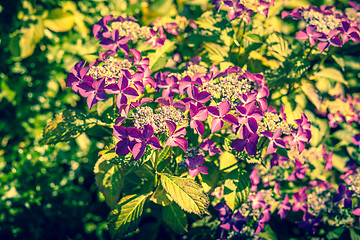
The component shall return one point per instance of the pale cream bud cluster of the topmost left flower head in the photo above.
(132, 30)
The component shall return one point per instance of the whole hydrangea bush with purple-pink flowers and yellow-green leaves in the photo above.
(207, 116)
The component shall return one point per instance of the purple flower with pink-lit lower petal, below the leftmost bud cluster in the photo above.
(94, 91)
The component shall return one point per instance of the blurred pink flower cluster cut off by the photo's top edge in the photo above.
(244, 9)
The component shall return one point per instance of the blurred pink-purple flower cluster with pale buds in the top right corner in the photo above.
(327, 24)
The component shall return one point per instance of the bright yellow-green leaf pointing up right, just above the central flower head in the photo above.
(159, 58)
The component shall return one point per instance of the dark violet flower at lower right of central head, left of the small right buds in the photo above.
(247, 140)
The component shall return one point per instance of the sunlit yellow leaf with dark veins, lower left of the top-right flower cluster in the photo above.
(279, 46)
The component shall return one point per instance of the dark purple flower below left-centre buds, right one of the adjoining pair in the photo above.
(142, 139)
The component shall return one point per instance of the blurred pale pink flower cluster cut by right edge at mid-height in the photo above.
(343, 109)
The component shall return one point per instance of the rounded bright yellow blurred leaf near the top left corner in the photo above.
(59, 20)
